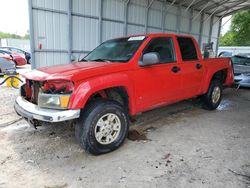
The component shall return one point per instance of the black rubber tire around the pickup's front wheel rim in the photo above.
(86, 126)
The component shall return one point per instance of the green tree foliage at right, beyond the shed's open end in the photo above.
(239, 33)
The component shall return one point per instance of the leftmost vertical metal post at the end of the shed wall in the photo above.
(32, 37)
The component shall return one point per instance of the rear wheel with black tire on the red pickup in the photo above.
(208, 102)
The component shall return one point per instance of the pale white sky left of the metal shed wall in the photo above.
(14, 16)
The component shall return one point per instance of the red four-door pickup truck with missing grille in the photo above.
(121, 78)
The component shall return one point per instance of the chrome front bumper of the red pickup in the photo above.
(31, 112)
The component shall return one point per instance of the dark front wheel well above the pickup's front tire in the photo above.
(118, 94)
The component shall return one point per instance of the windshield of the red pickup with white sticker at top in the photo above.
(119, 50)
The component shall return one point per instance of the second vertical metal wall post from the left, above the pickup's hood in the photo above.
(70, 36)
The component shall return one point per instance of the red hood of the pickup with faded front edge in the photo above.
(75, 71)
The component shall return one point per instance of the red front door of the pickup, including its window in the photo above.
(158, 84)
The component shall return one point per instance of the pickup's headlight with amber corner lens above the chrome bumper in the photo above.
(55, 101)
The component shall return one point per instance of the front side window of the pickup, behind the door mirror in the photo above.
(164, 47)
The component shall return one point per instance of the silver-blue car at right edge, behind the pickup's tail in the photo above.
(241, 64)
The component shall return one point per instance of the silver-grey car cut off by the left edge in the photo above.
(6, 64)
